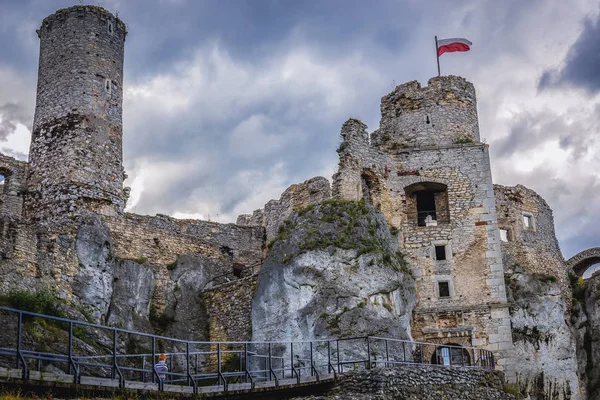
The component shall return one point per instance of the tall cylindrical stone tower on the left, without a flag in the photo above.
(76, 146)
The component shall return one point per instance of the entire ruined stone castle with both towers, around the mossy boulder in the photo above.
(472, 246)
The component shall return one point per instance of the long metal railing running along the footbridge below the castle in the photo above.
(84, 349)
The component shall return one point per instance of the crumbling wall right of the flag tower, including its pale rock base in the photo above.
(540, 296)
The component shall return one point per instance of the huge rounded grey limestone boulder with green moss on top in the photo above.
(333, 271)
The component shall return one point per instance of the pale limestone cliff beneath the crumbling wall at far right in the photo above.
(544, 348)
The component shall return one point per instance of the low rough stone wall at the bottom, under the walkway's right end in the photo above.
(418, 383)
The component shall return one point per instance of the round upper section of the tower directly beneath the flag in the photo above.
(443, 113)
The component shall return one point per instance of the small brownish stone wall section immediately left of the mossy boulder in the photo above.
(229, 307)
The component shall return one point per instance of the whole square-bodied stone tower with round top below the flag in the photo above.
(427, 171)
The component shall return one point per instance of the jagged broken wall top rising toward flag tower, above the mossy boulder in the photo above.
(312, 191)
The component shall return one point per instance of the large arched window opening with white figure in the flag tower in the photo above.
(427, 203)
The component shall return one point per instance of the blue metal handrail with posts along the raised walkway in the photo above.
(266, 361)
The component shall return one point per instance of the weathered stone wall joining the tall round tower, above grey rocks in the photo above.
(162, 240)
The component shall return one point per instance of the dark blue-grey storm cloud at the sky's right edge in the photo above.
(582, 63)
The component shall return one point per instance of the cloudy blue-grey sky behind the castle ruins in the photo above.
(228, 102)
